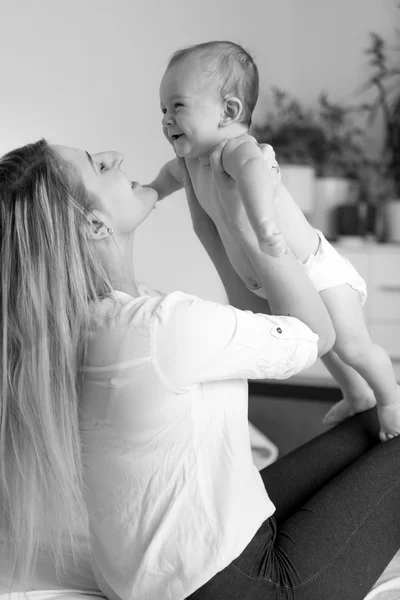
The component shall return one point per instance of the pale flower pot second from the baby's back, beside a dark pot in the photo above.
(329, 193)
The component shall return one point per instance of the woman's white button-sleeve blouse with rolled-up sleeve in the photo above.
(172, 491)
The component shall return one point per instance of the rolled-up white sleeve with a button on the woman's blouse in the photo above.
(195, 341)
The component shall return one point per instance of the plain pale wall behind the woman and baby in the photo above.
(85, 73)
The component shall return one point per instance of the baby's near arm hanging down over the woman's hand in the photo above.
(244, 161)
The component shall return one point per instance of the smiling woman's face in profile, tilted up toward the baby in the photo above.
(125, 203)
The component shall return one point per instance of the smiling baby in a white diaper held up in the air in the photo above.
(208, 94)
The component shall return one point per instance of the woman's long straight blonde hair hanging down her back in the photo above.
(51, 277)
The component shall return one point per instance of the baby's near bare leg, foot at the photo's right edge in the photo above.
(356, 349)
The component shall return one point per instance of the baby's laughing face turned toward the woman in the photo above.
(192, 110)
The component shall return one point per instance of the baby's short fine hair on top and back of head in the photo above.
(231, 66)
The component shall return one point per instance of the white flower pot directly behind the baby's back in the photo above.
(300, 180)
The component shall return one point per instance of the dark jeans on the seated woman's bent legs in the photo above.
(337, 523)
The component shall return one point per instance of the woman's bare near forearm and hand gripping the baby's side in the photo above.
(290, 291)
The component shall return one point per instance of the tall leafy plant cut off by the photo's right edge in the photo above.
(385, 80)
